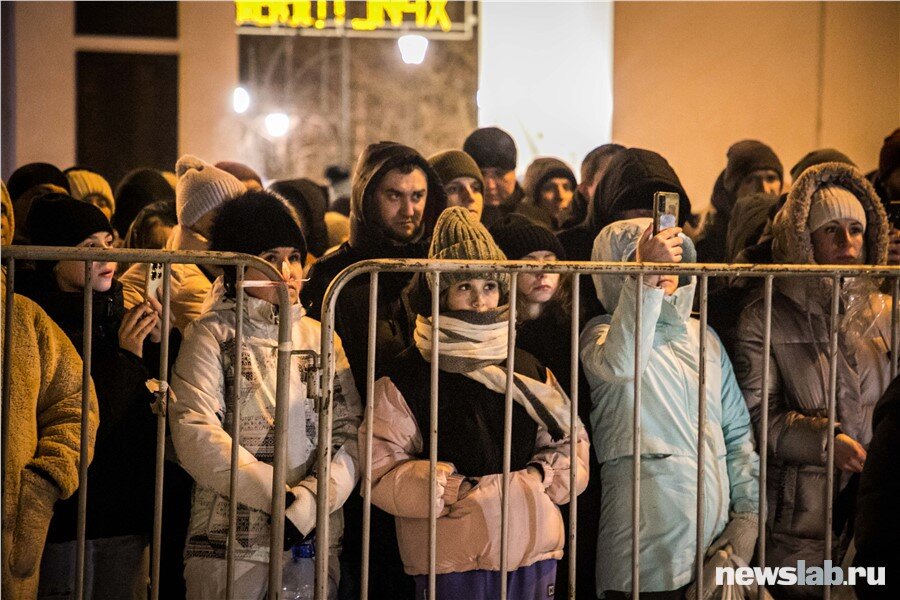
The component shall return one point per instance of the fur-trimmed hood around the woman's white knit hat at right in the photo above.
(792, 238)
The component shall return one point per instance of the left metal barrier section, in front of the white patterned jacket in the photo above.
(167, 258)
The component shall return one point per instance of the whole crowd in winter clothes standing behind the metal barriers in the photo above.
(457, 204)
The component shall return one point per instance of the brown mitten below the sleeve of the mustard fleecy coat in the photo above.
(33, 513)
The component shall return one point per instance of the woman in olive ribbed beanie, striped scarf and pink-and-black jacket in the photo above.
(472, 348)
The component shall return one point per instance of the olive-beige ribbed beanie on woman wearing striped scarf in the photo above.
(459, 237)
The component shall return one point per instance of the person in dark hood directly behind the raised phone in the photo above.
(625, 192)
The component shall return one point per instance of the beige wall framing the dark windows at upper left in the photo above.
(45, 78)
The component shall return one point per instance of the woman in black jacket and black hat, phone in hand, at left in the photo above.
(121, 477)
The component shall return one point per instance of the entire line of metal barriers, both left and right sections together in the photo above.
(374, 267)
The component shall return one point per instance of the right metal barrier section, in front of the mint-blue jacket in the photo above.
(575, 269)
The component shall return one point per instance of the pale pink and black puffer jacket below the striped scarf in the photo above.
(470, 445)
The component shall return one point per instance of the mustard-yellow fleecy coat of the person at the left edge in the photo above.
(44, 437)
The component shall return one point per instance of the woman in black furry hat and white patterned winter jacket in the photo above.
(261, 224)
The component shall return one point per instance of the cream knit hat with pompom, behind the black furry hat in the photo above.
(202, 188)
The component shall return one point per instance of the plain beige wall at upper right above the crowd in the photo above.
(692, 78)
